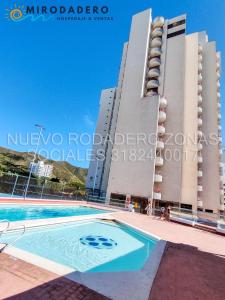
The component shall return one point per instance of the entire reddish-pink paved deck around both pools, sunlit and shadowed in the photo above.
(192, 267)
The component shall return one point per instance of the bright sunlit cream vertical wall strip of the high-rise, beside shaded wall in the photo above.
(190, 127)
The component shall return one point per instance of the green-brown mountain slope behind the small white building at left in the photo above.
(18, 163)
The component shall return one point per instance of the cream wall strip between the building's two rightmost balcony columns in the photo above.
(210, 181)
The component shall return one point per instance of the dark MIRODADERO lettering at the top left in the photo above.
(67, 10)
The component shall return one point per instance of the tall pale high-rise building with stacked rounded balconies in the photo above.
(158, 135)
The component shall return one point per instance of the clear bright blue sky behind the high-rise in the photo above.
(52, 72)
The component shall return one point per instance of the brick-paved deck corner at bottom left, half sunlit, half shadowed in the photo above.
(23, 281)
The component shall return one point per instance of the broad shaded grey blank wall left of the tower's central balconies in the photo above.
(136, 115)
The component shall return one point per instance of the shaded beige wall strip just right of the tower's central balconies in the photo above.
(174, 92)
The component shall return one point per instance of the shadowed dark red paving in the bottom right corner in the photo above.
(185, 273)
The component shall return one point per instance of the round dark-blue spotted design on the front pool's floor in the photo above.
(98, 242)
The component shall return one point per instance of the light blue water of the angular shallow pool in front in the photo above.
(88, 246)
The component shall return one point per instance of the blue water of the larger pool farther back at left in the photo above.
(29, 212)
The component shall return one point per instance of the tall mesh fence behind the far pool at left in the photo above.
(12, 185)
